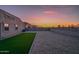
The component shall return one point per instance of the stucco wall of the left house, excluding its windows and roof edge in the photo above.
(11, 20)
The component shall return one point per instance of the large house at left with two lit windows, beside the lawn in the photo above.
(10, 25)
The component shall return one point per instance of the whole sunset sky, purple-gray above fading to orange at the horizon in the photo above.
(41, 15)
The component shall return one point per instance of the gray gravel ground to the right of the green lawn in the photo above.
(47, 42)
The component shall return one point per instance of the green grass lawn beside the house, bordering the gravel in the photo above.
(19, 44)
